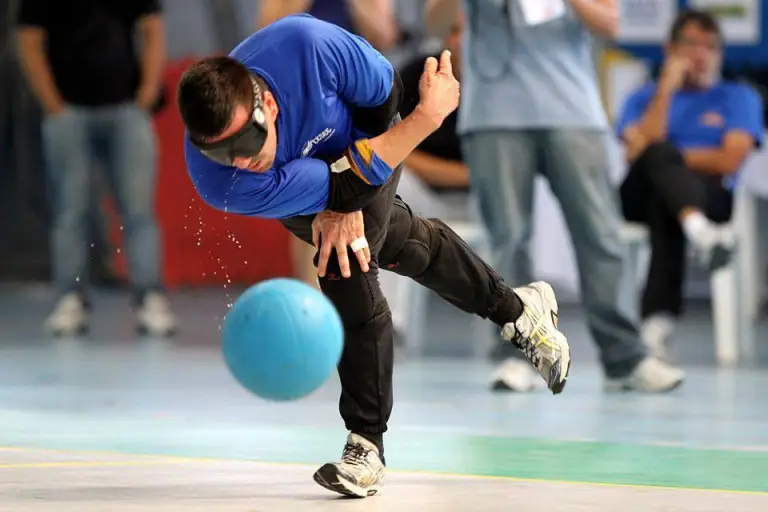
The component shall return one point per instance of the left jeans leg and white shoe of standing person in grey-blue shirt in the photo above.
(503, 166)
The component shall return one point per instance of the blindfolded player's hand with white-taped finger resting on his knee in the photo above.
(339, 231)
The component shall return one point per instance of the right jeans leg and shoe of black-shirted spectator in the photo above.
(131, 171)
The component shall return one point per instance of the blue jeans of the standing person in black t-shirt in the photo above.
(121, 138)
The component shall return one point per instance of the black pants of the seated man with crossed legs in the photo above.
(658, 187)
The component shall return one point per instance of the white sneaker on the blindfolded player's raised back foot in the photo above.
(536, 334)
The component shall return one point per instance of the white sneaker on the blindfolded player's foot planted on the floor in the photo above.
(360, 472)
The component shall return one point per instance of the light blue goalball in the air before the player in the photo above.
(282, 339)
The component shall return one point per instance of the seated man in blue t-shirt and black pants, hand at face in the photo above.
(686, 138)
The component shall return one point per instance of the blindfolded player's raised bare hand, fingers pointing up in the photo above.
(438, 88)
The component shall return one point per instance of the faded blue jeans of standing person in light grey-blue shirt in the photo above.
(503, 165)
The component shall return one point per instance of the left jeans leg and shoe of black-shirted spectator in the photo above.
(69, 156)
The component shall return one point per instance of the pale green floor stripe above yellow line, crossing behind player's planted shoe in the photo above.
(538, 459)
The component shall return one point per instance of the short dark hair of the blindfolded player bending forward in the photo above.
(208, 93)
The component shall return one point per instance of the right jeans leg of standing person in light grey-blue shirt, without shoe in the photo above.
(577, 169)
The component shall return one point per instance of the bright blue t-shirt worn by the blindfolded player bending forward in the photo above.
(316, 71)
